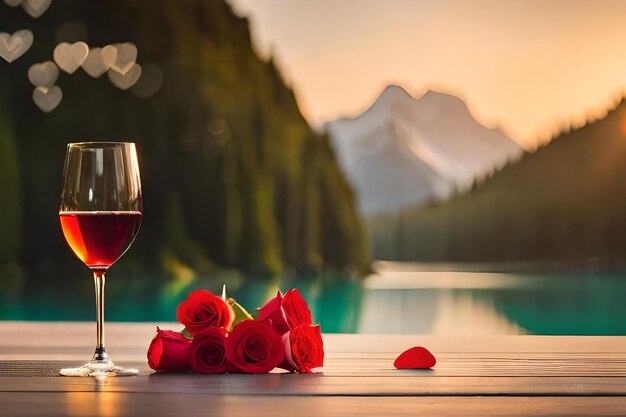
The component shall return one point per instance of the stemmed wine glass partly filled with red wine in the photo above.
(100, 214)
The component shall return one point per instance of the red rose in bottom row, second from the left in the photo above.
(207, 354)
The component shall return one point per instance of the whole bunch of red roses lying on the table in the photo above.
(221, 336)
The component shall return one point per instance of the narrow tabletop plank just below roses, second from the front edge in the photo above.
(320, 385)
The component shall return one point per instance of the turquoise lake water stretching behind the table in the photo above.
(400, 298)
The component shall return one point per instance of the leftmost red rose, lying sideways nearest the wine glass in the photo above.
(168, 352)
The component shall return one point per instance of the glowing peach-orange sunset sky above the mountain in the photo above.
(527, 66)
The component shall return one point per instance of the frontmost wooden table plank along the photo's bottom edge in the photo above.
(189, 405)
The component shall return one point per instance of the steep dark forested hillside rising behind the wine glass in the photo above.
(233, 176)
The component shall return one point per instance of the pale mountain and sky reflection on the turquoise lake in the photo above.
(428, 301)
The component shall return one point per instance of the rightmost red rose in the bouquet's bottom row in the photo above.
(304, 349)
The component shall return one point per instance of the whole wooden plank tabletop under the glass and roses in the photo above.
(502, 375)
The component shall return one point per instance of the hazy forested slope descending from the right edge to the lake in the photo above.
(565, 202)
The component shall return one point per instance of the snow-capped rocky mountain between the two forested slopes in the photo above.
(404, 151)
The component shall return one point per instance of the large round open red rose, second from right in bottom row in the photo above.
(254, 347)
